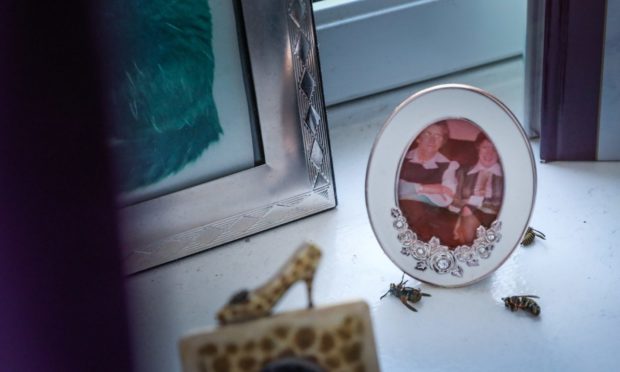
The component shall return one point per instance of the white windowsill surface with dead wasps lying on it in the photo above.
(575, 271)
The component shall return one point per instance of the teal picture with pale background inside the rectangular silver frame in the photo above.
(180, 95)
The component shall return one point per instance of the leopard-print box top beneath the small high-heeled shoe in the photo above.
(337, 338)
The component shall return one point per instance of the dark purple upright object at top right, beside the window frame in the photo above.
(565, 78)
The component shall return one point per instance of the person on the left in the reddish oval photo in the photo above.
(427, 186)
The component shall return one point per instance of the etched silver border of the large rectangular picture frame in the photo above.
(296, 179)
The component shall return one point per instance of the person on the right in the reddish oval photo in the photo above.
(479, 193)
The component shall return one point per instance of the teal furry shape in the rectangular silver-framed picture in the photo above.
(160, 68)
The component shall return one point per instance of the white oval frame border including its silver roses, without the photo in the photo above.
(430, 260)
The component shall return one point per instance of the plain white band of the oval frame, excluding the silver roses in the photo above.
(503, 129)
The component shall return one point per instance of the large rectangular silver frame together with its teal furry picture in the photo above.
(217, 123)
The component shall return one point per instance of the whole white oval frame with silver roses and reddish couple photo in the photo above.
(450, 185)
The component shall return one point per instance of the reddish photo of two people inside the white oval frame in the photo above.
(450, 182)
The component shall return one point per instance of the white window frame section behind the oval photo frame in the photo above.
(368, 46)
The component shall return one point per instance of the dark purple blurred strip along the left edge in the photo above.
(62, 305)
